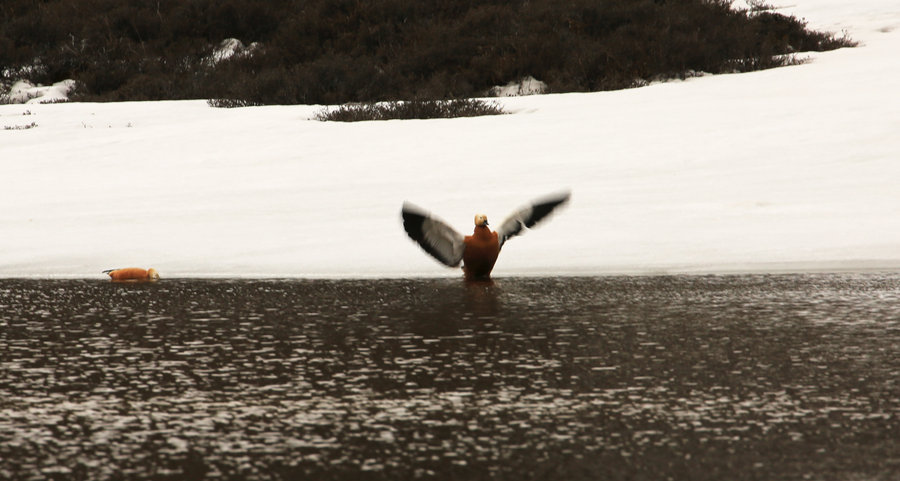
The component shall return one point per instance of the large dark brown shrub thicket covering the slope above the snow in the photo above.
(337, 51)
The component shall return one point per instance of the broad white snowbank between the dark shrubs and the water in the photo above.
(790, 169)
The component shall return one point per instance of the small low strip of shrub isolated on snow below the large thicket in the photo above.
(414, 109)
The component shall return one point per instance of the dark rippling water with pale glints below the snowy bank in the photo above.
(649, 378)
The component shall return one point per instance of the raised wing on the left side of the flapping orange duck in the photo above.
(433, 234)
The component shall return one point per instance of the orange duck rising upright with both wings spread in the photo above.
(478, 252)
